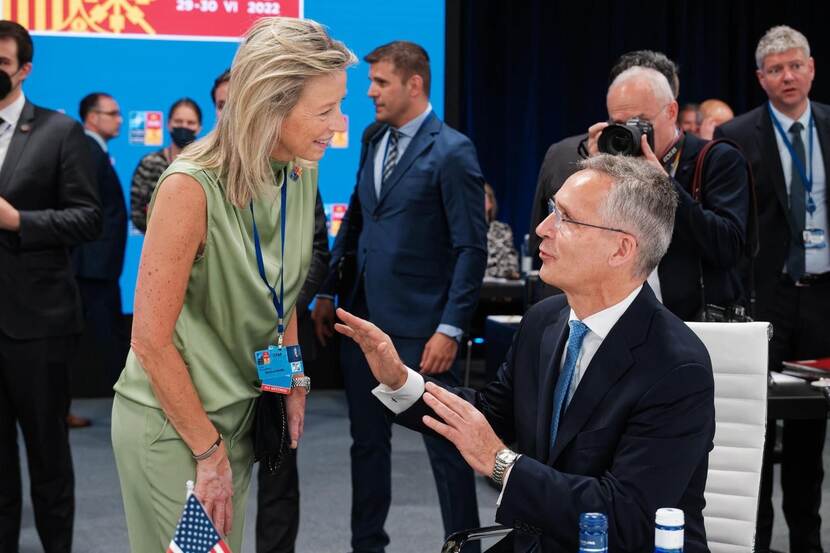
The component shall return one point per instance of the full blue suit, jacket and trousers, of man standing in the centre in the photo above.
(421, 251)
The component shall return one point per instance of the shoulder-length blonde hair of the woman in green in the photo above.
(275, 60)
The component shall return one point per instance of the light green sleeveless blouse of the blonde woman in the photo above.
(228, 313)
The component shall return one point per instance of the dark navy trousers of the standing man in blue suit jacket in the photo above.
(371, 430)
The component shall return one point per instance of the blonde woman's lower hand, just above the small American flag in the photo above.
(214, 488)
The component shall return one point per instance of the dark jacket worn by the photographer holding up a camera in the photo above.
(711, 232)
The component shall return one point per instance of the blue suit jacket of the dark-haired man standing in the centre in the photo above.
(422, 246)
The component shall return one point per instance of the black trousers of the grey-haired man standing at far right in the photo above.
(800, 331)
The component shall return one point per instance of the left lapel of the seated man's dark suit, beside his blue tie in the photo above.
(550, 355)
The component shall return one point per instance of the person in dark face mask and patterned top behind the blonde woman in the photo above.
(184, 122)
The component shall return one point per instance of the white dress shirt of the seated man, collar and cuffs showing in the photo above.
(599, 325)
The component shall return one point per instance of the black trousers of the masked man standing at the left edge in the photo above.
(34, 393)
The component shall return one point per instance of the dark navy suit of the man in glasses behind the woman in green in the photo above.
(97, 266)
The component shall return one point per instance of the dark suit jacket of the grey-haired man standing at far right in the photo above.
(756, 136)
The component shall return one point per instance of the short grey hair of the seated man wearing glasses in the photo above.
(642, 201)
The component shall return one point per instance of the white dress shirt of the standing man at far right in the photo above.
(816, 260)
